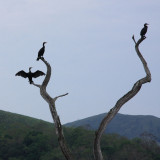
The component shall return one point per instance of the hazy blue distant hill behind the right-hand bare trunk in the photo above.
(129, 126)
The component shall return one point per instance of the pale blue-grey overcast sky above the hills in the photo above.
(91, 52)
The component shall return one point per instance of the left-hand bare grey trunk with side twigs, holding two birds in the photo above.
(51, 101)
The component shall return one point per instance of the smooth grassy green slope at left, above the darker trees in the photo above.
(16, 123)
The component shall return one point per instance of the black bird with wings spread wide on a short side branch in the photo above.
(30, 75)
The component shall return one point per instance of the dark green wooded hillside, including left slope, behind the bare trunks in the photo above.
(25, 138)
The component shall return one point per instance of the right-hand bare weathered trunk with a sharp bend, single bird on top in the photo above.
(110, 115)
